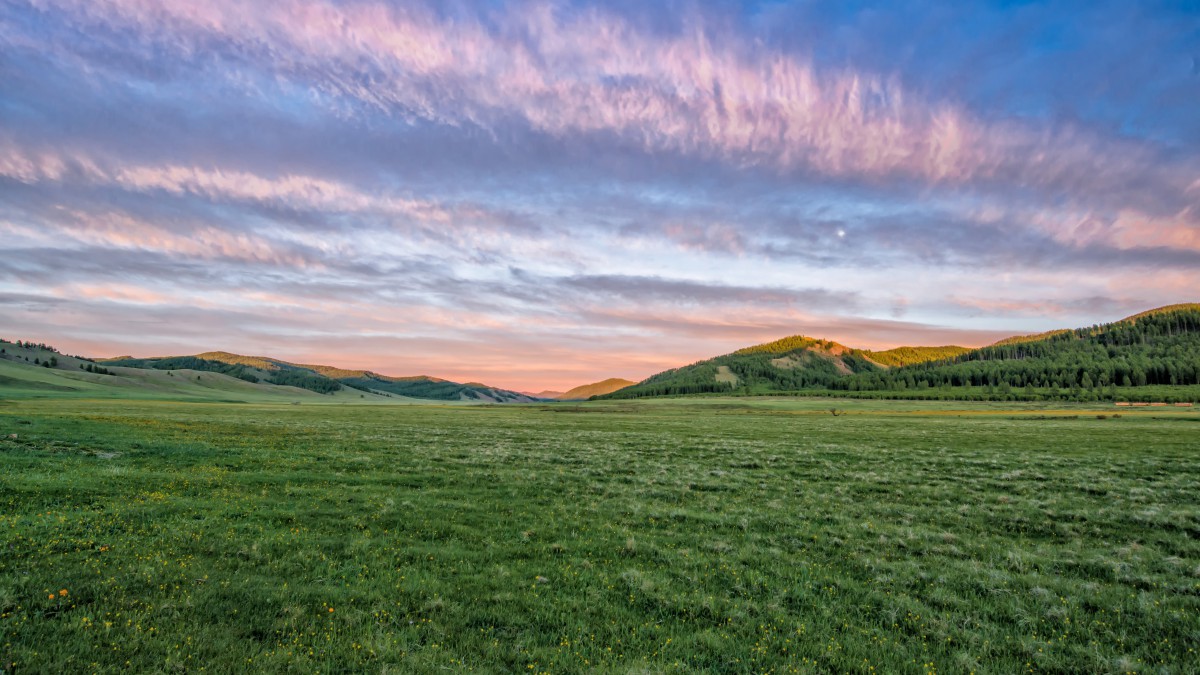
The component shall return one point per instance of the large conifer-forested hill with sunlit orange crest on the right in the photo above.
(1160, 348)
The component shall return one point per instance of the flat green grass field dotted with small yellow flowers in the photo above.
(733, 536)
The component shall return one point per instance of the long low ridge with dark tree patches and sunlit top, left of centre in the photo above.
(325, 379)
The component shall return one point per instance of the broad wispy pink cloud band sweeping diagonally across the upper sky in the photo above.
(698, 93)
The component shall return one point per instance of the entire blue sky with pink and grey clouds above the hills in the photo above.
(538, 195)
